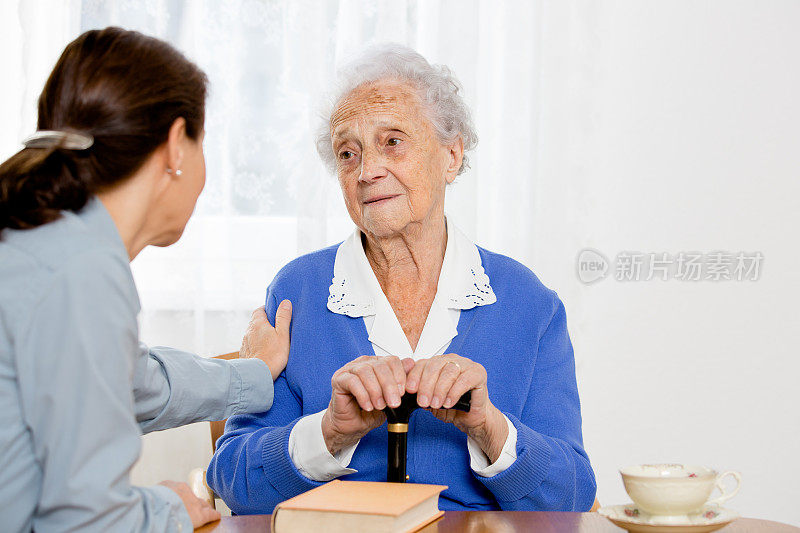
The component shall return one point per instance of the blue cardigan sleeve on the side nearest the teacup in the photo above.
(552, 471)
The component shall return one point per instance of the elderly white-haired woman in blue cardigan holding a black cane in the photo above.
(409, 304)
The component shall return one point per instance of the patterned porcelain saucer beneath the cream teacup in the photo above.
(631, 518)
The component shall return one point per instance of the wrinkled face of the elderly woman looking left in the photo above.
(391, 166)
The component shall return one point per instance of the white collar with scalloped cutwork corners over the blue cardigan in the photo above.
(463, 283)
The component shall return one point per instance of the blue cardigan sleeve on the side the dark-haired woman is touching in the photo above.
(251, 469)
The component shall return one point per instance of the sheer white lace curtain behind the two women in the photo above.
(267, 197)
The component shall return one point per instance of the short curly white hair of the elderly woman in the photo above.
(439, 91)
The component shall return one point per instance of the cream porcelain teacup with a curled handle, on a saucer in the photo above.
(675, 489)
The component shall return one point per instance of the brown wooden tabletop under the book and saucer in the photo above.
(502, 522)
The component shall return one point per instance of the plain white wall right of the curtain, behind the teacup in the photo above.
(668, 127)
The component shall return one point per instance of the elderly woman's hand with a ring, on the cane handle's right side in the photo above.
(441, 380)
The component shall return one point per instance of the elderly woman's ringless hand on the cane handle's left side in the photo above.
(361, 388)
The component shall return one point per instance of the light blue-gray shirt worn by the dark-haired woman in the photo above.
(77, 388)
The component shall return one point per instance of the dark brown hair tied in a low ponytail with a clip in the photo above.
(124, 89)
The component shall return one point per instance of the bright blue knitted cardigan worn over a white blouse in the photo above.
(521, 340)
